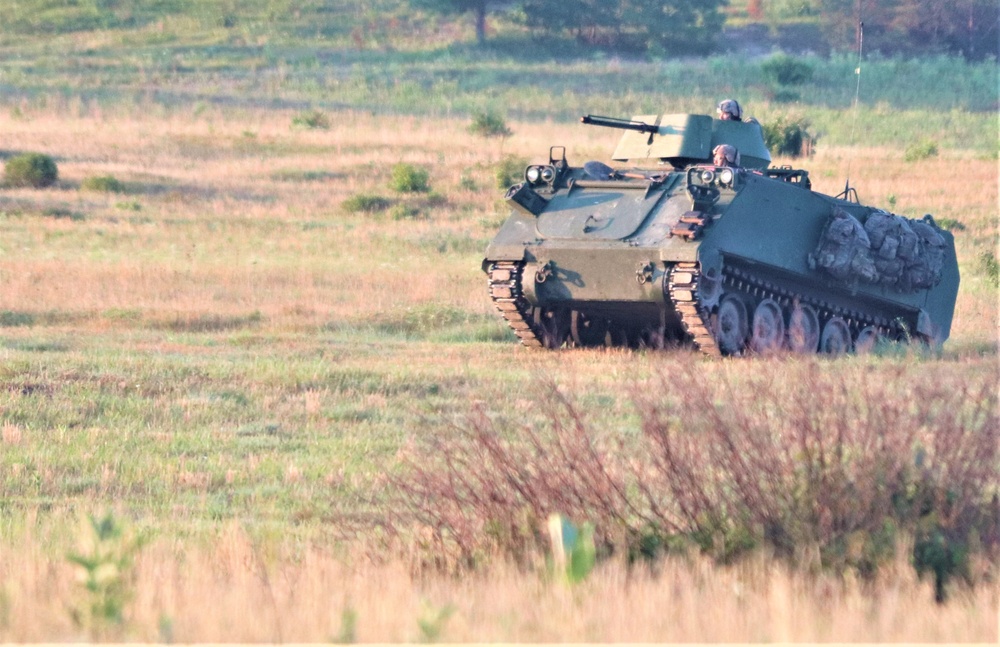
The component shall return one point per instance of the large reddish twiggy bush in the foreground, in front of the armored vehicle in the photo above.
(844, 477)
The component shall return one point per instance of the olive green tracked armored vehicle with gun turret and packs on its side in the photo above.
(672, 249)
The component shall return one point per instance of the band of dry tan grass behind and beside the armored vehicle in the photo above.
(222, 229)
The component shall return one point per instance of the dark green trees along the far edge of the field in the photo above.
(967, 28)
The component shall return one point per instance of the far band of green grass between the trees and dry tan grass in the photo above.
(901, 100)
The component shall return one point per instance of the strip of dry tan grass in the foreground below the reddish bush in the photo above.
(233, 591)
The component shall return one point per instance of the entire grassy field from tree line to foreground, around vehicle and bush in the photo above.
(232, 362)
